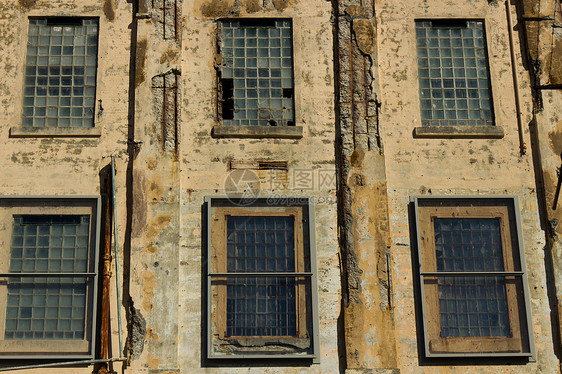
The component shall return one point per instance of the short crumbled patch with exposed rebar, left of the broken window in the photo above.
(166, 93)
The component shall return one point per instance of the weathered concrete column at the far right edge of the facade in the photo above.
(541, 23)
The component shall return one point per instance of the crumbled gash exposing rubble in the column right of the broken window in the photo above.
(357, 120)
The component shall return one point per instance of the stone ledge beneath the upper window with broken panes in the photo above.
(285, 132)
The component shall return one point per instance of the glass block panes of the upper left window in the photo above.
(60, 72)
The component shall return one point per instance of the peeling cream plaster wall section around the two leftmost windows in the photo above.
(67, 166)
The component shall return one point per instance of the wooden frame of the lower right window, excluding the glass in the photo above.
(519, 342)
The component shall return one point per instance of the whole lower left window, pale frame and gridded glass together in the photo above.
(47, 303)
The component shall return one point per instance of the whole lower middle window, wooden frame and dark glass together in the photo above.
(261, 279)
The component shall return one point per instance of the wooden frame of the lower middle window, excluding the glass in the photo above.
(302, 344)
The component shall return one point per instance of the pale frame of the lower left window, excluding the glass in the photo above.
(51, 348)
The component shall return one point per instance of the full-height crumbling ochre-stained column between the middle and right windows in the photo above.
(363, 203)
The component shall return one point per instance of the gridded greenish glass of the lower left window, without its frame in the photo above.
(48, 307)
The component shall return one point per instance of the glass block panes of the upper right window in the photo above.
(454, 79)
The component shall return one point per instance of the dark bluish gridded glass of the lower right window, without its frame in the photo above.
(471, 306)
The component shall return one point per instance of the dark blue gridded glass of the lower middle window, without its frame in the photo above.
(261, 306)
